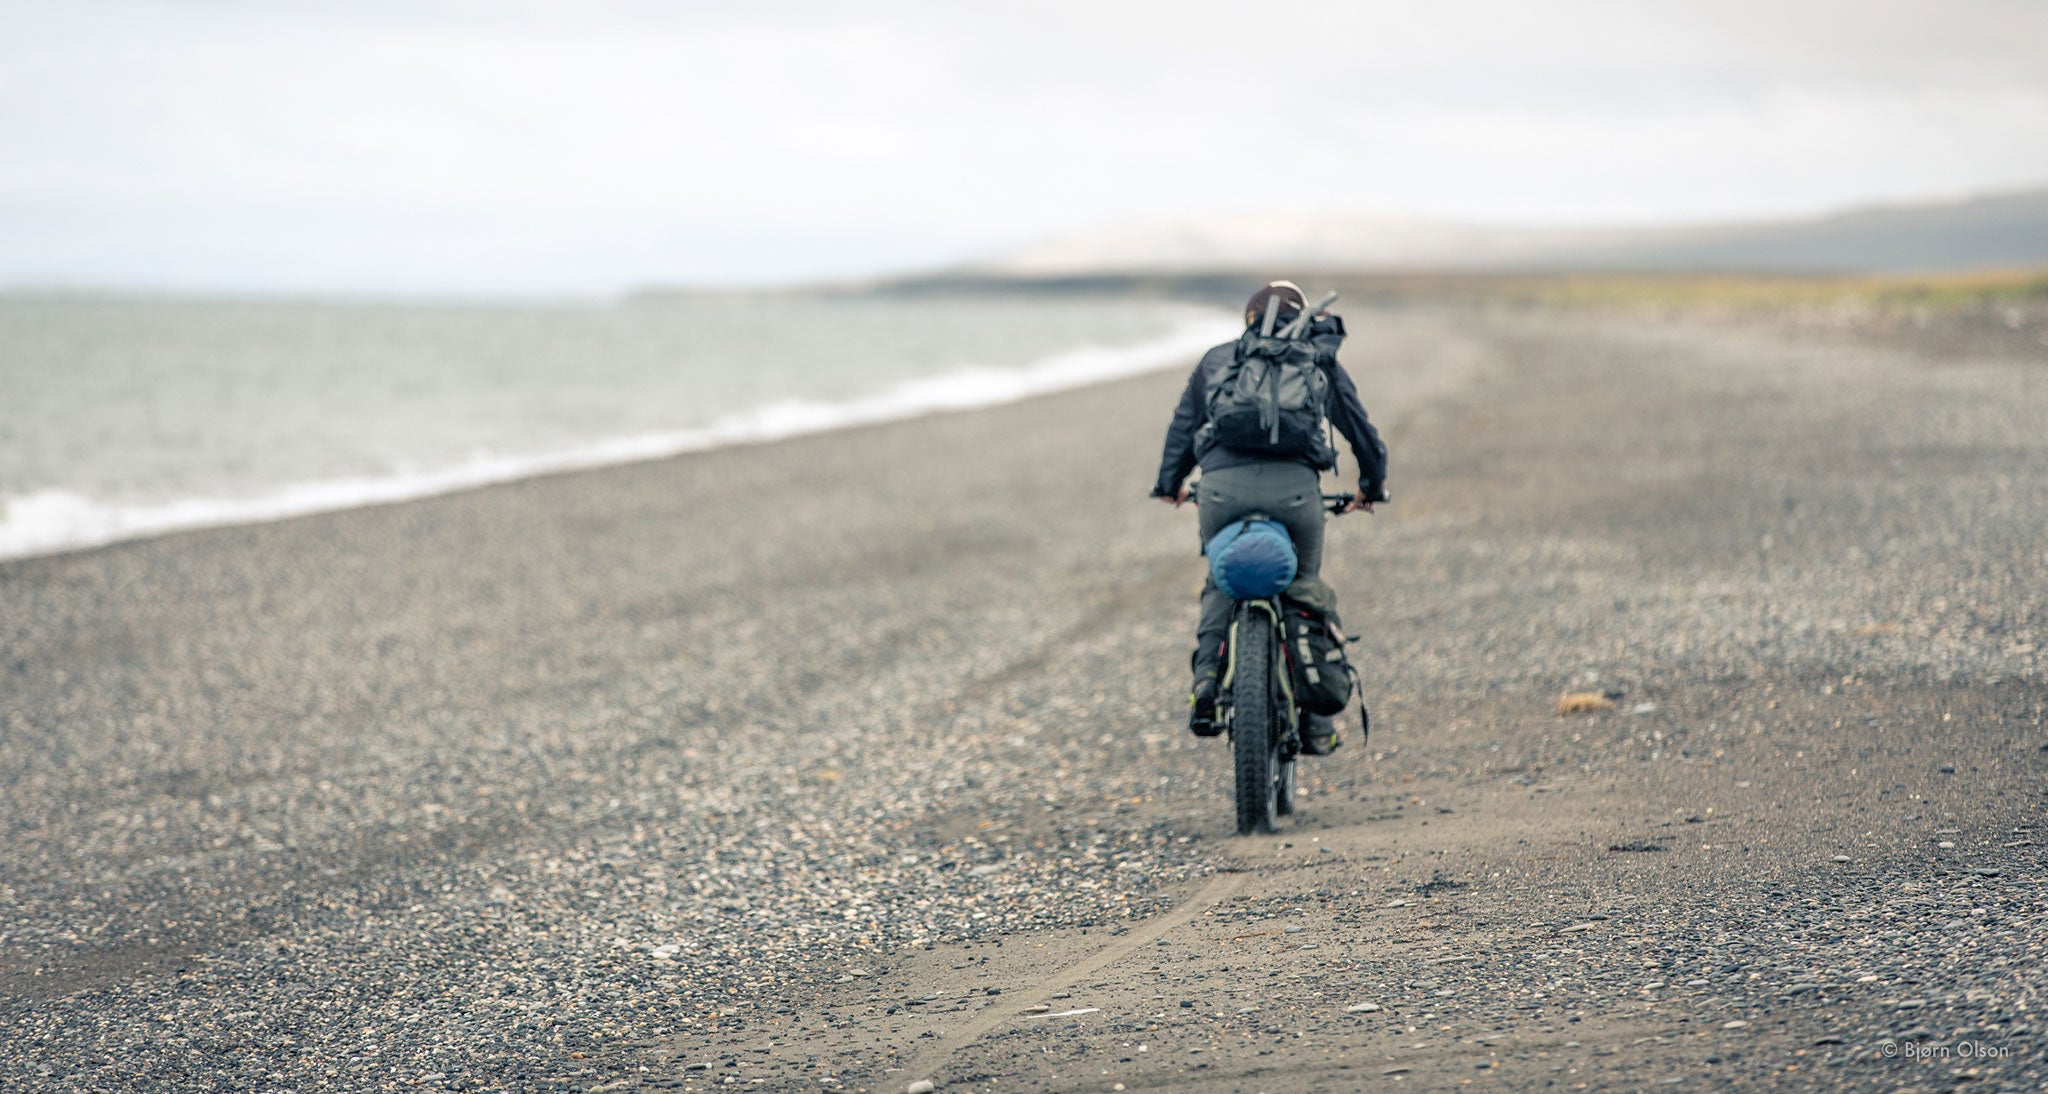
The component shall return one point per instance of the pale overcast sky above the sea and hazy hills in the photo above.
(507, 146)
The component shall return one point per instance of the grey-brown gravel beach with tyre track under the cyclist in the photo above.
(857, 761)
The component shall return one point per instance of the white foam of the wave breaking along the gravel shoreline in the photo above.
(52, 521)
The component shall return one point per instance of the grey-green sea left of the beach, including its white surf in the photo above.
(124, 419)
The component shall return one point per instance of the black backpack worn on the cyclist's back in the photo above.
(1271, 398)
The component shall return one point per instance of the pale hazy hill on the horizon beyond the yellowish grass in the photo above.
(1986, 233)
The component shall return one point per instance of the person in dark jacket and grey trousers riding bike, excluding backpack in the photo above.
(1240, 482)
